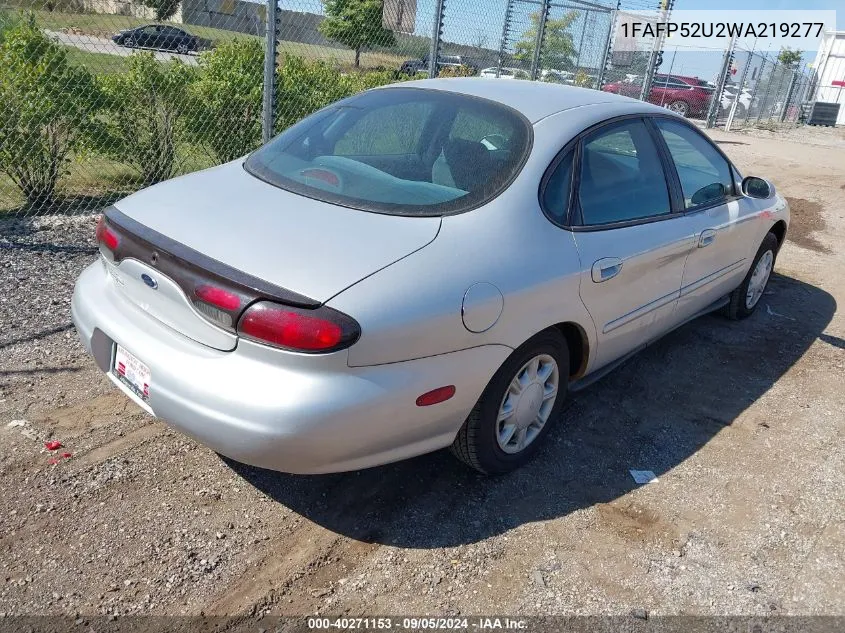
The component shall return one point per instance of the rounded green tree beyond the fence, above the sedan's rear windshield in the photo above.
(356, 24)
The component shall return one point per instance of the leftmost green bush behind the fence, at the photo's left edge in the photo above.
(46, 106)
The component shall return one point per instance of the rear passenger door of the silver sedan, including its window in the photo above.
(631, 243)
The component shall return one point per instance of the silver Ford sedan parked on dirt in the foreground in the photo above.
(378, 296)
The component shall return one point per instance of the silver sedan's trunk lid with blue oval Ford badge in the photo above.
(216, 241)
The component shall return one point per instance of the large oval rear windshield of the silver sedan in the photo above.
(402, 151)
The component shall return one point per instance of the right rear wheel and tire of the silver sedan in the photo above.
(519, 406)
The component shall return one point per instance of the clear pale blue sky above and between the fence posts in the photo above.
(479, 22)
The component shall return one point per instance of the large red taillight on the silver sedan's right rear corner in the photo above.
(320, 330)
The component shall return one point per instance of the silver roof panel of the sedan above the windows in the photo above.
(534, 99)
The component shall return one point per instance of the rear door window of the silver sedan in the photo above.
(622, 178)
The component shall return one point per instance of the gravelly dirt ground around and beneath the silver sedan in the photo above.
(742, 422)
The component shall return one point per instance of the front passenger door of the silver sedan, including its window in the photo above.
(715, 212)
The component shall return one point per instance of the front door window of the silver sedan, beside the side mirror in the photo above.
(704, 173)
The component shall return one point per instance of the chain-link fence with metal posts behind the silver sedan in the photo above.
(99, 98)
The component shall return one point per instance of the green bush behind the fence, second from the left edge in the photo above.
(146, 107)
